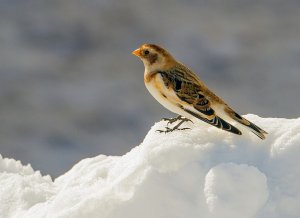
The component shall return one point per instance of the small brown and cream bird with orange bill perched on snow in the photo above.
(182, 92)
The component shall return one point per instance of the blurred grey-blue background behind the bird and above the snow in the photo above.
(70, 88)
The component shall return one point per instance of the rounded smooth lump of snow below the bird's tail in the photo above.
(230, 192)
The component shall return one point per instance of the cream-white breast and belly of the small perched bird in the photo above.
(165, 96)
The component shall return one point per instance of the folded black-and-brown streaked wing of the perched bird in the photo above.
(188, 90)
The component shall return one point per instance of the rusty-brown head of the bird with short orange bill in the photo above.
(154, 57)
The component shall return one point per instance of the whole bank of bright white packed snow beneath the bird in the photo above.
(203, 172)
